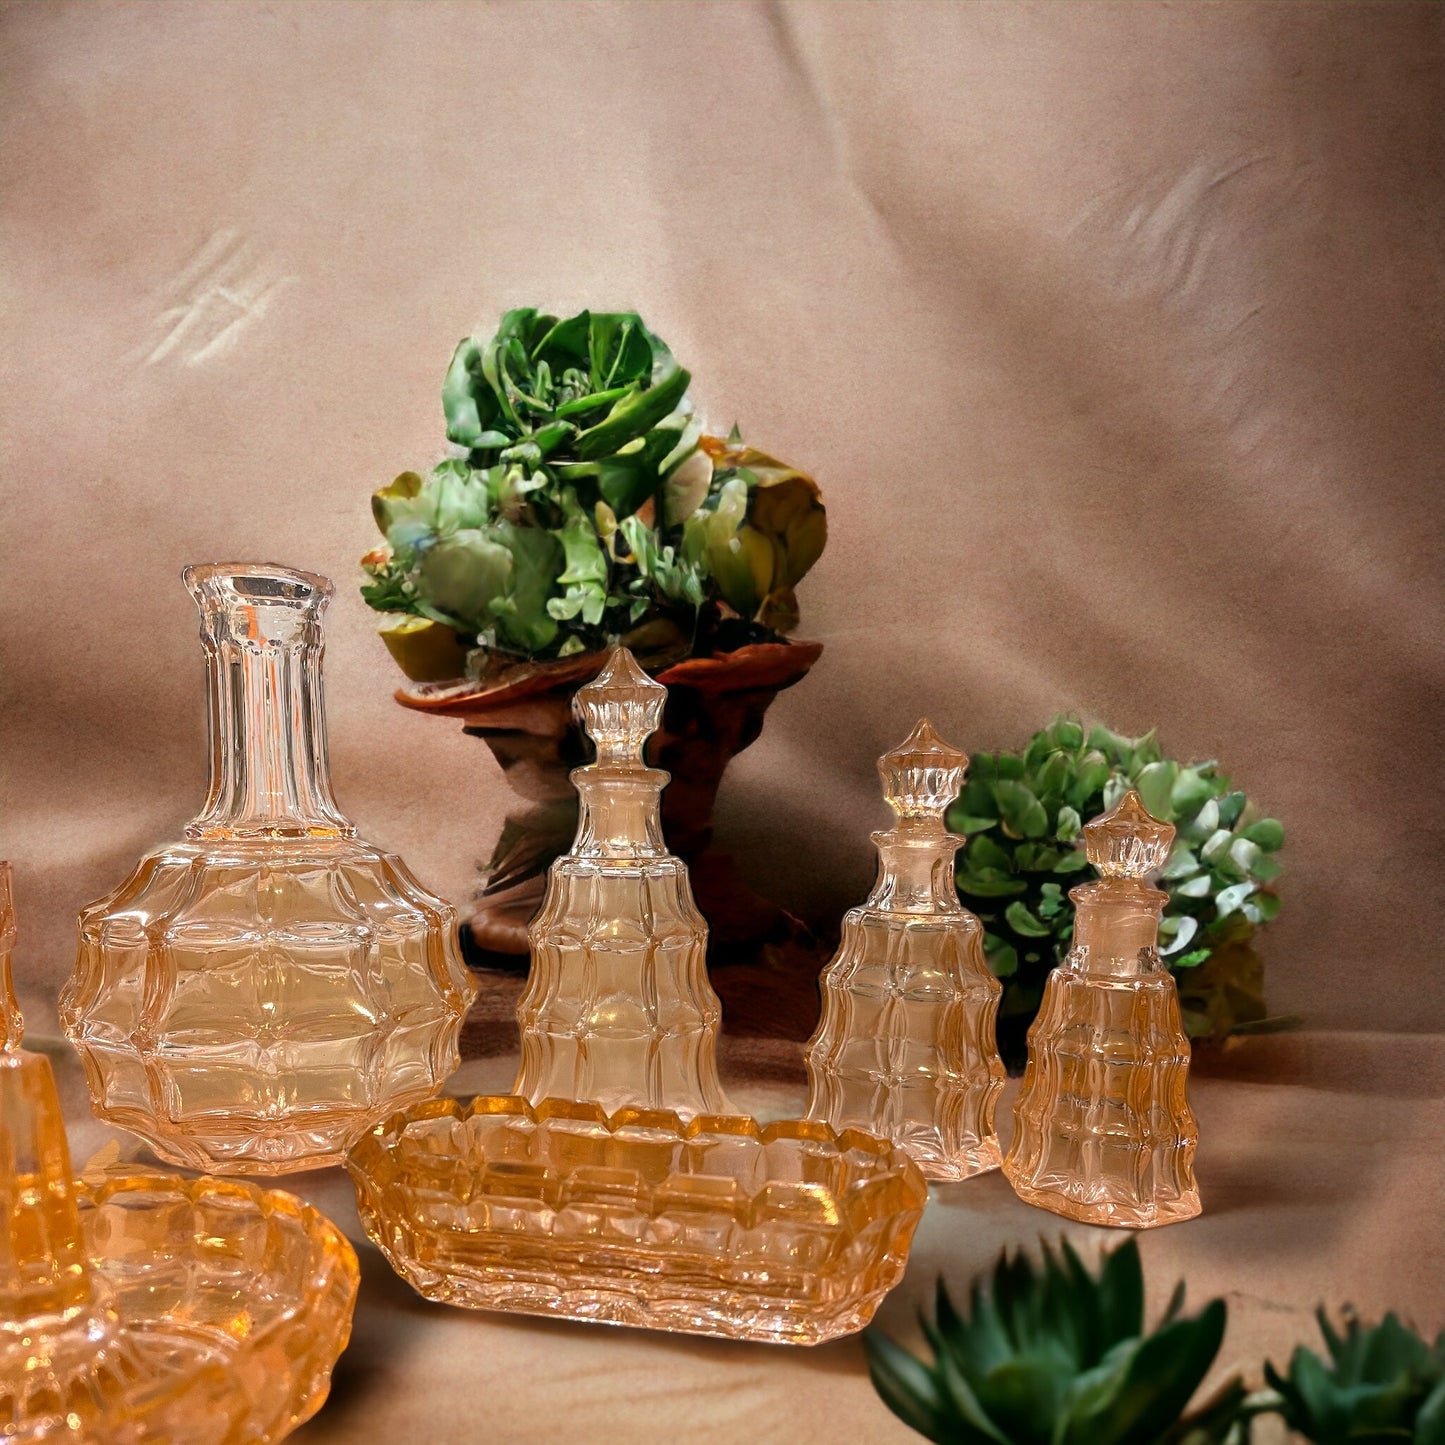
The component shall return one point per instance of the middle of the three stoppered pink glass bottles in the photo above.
(907, 1043)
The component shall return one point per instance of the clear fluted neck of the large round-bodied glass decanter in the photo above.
(261, 628)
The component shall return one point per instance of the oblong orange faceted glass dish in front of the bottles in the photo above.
(785, 1233)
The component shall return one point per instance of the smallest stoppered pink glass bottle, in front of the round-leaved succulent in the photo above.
(1103, 1129)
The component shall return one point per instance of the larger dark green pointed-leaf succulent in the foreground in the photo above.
(1060, 1356)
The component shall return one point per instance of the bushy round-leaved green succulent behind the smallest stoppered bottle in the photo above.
(1025, 814)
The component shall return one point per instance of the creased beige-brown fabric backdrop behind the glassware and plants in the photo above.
(1113, 333)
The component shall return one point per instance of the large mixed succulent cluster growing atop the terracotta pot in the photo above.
(587, 506)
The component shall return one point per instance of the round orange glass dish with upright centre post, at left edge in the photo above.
(145, 1310)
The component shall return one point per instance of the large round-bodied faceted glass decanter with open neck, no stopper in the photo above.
(255, 998)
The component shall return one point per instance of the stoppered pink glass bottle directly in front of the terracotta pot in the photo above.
(619, 1009)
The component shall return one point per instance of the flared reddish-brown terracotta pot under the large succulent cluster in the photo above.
(716, 709)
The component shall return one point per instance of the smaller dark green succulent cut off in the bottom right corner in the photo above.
(1381, 1385)
